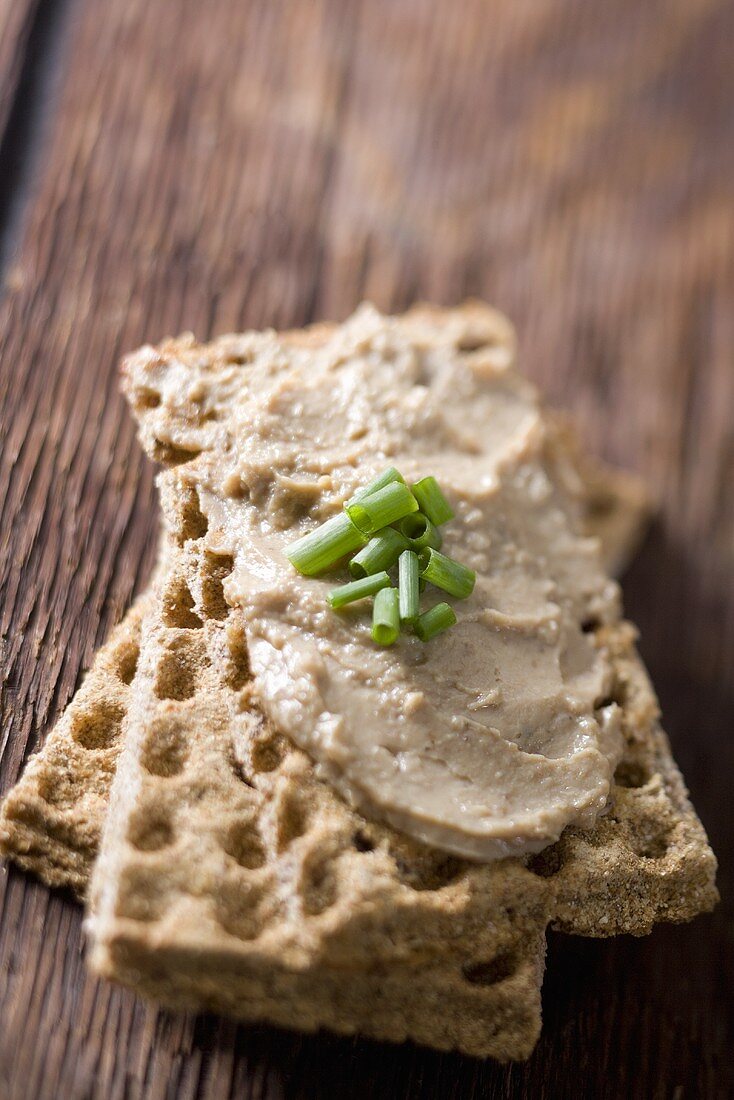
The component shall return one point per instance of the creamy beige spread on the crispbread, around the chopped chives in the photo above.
(488, 741)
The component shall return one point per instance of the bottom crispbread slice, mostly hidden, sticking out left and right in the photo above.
(51, 821)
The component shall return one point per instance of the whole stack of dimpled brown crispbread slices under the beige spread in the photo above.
(231, 877)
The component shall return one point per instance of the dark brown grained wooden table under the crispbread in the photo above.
(225, 164)
